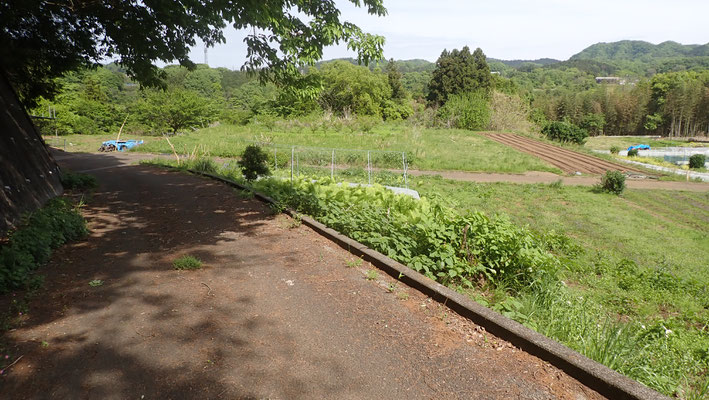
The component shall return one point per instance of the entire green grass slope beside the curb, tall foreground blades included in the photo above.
(637, 296)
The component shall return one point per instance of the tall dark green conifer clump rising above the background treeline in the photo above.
(458, 72)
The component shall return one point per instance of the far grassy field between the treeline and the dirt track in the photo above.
(427, 149)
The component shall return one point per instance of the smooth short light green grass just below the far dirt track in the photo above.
(642, 225)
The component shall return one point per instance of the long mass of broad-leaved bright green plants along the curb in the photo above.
(425, 235)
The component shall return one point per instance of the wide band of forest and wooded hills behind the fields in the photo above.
(662, 90)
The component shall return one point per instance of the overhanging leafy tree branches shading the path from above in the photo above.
(41, 40)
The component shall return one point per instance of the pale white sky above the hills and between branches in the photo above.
(513, 29)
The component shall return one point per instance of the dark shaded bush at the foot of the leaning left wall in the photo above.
(32, 243)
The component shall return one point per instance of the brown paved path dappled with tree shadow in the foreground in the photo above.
(275, 313)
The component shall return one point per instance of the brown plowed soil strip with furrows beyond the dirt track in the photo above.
(566, 160)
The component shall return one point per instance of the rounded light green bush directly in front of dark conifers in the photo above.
(466, 111)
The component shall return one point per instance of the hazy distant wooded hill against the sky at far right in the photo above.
(637, 50)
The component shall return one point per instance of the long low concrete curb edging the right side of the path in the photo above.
(594, 375)
